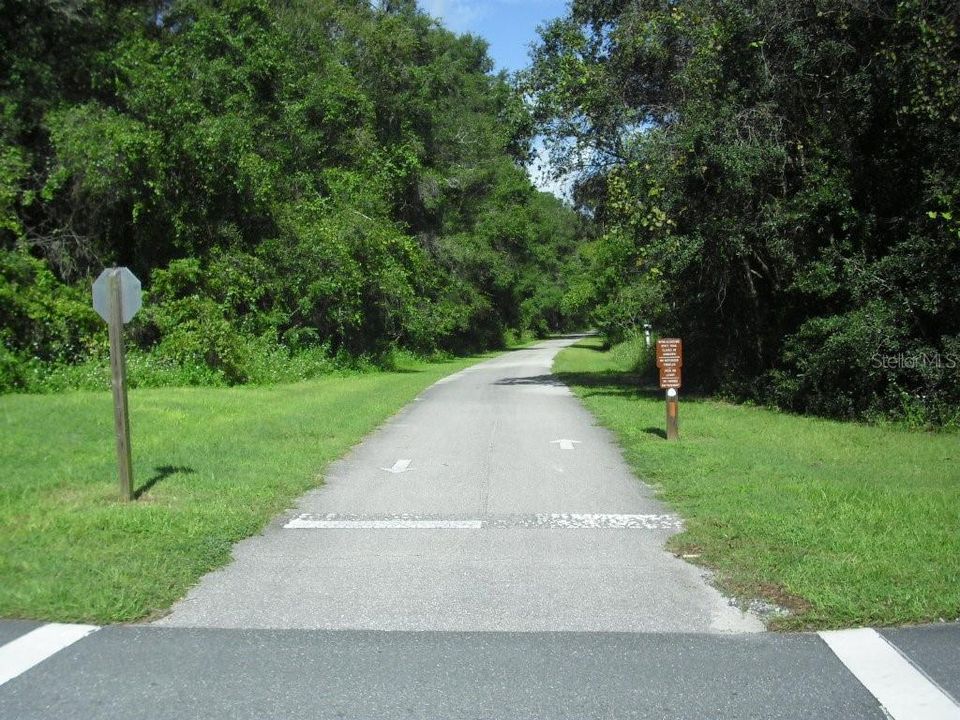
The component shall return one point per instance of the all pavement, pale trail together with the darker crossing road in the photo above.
(485, 554)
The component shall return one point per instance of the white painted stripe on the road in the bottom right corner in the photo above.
(903, 690)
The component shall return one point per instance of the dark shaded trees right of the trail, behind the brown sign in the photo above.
(778, 182)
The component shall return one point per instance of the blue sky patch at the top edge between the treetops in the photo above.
(508, 25)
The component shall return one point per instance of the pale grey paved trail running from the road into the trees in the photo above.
(465, 513)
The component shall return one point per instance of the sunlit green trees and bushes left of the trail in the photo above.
(299, 183)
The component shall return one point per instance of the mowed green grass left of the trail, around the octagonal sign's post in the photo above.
(213, 465)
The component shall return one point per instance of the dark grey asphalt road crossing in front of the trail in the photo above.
(177, 673)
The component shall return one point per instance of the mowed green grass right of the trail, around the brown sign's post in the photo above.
(844, 524)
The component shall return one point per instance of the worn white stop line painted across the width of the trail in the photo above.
(542, 521)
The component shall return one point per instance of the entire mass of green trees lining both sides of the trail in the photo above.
(775, 181)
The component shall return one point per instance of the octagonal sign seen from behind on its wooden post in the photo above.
(116, 298)
